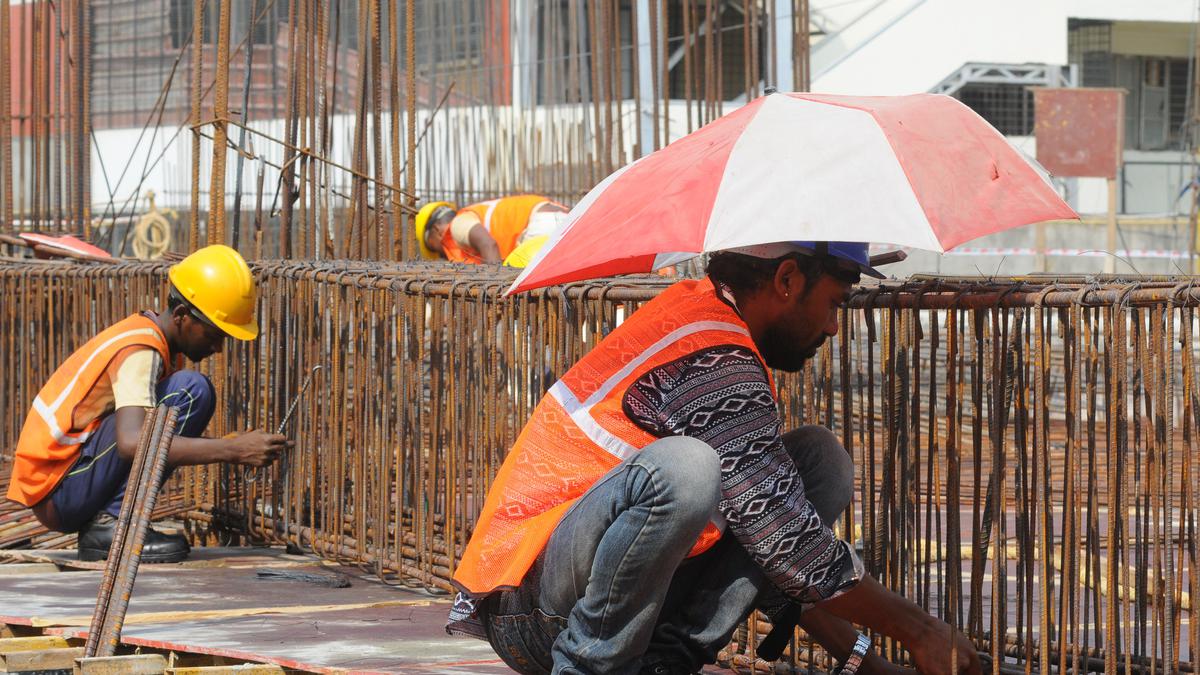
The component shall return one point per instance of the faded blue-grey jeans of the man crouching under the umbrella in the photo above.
(613, 592)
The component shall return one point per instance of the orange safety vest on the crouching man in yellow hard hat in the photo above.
(50, 441)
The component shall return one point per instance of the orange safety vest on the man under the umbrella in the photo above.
(580, 431)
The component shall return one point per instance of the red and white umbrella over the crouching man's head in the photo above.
(921, 171)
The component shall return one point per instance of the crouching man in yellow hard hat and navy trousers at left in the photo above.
(77, 445)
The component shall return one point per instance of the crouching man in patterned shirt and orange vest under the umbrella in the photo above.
(653, 501)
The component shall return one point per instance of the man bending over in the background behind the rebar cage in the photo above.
(509, 230)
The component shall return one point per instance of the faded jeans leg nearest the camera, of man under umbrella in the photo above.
(608, 564)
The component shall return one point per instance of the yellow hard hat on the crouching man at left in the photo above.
(218, 282)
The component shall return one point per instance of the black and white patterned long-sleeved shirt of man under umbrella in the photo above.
(722, 396)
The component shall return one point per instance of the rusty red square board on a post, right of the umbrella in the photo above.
(1079, 132)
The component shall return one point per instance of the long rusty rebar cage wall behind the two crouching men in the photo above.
(1025, 449)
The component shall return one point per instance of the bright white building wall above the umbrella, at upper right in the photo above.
(939, 37)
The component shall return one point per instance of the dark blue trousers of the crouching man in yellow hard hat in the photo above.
(97, 481)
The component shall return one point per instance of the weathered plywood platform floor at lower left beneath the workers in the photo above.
(215, 606)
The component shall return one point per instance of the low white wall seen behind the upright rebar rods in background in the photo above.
(473, 150)
